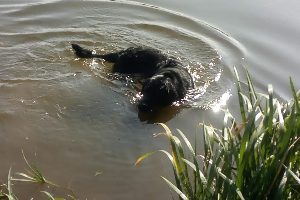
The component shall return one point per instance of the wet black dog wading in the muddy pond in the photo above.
(167, 80)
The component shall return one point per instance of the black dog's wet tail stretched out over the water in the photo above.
(84, 53)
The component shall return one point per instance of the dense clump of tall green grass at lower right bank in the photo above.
(257, 159)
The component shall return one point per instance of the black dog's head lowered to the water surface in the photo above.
(159, 91)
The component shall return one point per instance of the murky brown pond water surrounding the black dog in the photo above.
(81, 119)
